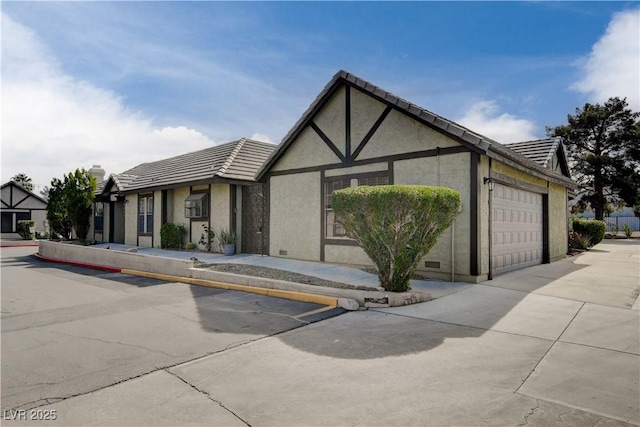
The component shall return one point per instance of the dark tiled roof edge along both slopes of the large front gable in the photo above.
(473, 140)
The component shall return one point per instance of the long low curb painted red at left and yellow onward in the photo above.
(277, 293)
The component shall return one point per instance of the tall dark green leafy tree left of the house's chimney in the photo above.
(70, 204)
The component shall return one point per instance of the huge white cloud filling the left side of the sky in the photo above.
(53, 123)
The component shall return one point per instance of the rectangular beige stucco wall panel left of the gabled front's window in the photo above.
(294, 216)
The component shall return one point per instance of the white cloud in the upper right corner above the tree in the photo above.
(613, 66)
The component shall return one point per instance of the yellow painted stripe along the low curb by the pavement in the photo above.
(291, 295)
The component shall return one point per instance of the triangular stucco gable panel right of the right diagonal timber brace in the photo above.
(399, 134)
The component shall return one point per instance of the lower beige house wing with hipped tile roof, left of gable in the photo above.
(213, 187)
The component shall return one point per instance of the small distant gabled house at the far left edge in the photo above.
(19, 204)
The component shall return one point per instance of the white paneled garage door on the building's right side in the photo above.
(517, 236)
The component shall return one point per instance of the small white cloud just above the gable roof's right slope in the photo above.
(483, 117)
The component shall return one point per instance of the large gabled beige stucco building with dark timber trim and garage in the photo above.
(514, 208)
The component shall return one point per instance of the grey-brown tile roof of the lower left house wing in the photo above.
(236, 160)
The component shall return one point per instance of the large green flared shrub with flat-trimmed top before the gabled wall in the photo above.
(396, 225)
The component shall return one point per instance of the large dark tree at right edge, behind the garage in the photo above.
(602, 144)
